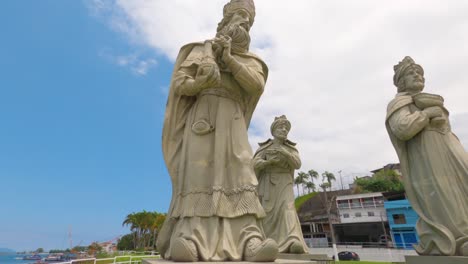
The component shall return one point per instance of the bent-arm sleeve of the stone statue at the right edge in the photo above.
(405, 125)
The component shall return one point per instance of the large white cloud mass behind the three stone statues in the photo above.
(331, 65)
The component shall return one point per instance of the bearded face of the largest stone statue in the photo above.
(238, 30)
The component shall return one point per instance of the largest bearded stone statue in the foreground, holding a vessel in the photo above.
(215, 213)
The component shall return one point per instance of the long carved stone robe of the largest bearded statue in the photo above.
(214, 199)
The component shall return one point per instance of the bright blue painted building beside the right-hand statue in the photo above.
(402, 222)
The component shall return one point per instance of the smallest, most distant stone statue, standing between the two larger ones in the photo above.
(274, 164)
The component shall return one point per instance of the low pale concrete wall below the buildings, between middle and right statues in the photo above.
(370, 254)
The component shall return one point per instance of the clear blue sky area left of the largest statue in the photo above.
(80, 134)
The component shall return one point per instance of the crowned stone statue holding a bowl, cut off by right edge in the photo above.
(434, 164)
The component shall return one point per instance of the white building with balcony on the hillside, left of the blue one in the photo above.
(361, 208)
